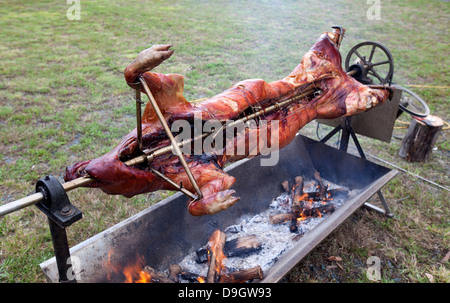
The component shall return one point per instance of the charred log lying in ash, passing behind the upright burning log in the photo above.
(236, 247)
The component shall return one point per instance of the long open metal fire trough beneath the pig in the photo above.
(165, 232)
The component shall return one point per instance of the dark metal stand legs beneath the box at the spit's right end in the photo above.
(347, 131)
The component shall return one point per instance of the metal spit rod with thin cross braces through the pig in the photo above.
(68, 186)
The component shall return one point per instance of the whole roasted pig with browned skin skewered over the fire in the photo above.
(338, 95)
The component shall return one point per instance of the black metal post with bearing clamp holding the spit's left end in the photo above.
(61, 214)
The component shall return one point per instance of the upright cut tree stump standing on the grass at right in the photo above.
(420, 138)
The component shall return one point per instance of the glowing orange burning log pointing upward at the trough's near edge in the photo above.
(215, 247)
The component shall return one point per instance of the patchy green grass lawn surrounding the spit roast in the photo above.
(63, 99)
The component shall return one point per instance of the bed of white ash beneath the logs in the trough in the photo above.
(275, 239)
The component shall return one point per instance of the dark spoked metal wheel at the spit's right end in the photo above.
(370, 59)
